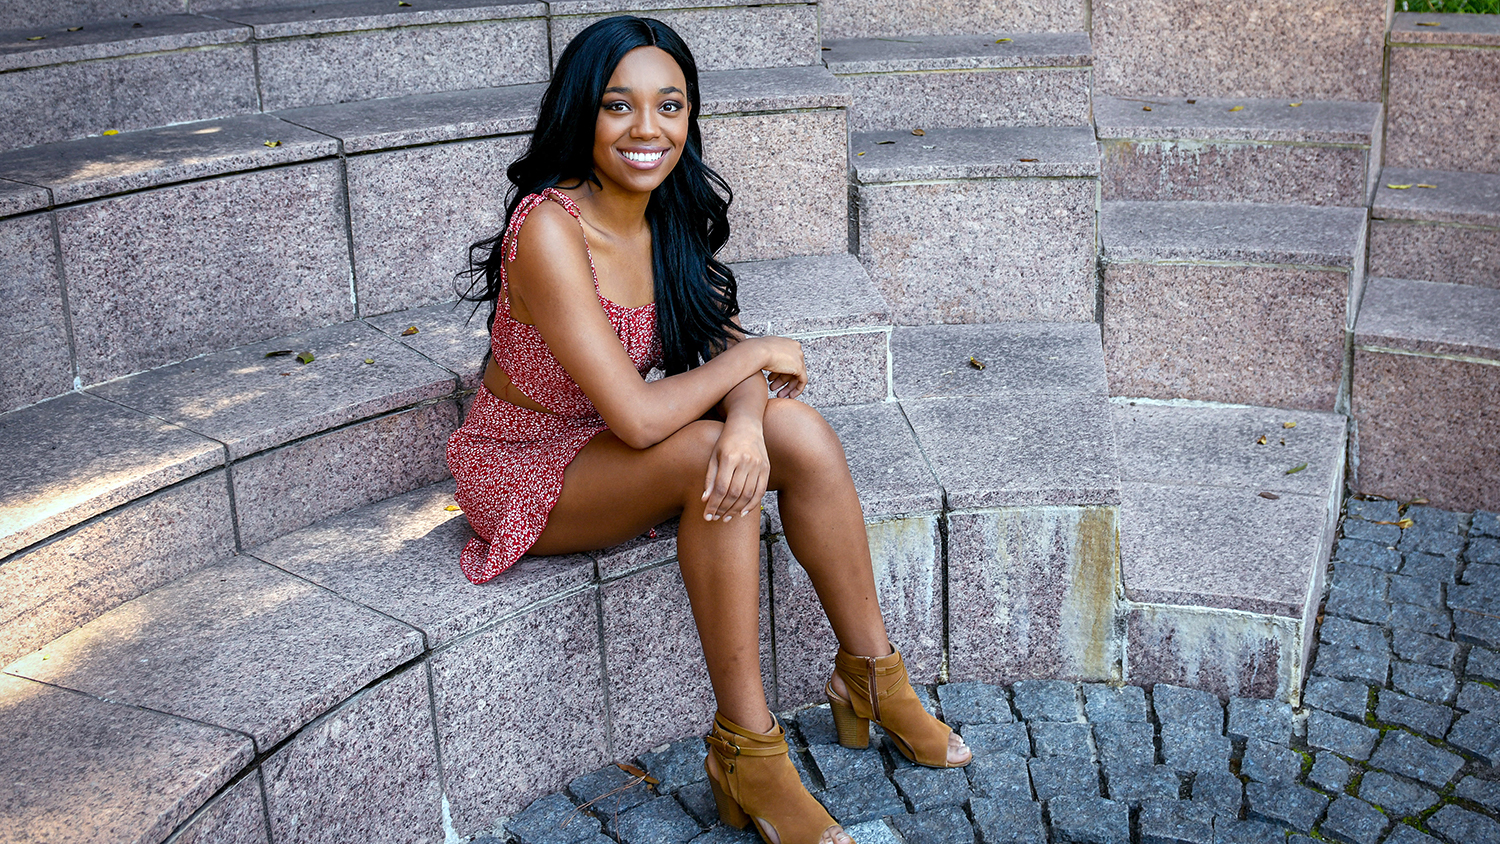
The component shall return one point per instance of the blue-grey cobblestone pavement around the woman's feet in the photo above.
(1397, 741)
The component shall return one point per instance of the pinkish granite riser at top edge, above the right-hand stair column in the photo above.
(1325, 50)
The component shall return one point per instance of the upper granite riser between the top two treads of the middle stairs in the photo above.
(953, 100)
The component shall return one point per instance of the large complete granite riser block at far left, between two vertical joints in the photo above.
(166, 275)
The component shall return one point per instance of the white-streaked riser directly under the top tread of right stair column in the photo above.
(1222, 172)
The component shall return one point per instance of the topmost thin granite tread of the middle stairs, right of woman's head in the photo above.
(995, 52)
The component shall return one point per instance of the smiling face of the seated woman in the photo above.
(643, 122)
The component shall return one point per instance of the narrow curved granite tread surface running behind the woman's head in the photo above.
(256, 142)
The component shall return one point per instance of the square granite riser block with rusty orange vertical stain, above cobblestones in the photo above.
(1034, 593)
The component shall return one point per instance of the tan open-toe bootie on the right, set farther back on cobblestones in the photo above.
(881, 693)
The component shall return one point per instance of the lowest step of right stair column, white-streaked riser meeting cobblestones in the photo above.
(1225, 542)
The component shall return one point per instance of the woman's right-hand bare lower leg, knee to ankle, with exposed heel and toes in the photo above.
(826, 531)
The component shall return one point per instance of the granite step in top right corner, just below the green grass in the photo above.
(1445, 85)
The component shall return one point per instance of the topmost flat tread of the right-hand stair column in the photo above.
(1240, 121)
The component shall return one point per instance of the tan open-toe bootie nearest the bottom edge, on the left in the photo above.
(757, 782)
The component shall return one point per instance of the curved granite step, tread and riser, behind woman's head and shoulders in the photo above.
(389, 194)
